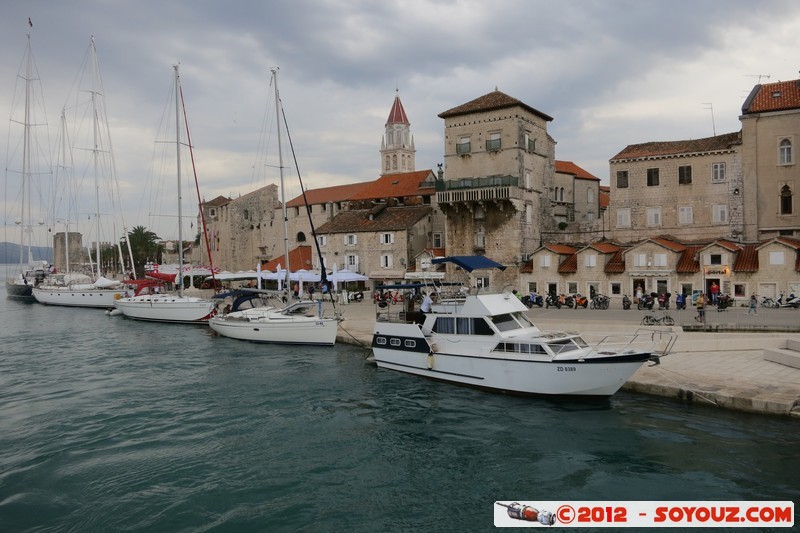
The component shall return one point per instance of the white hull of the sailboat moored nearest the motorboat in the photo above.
(293, 330)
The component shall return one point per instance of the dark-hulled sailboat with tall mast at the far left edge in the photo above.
(30, 272)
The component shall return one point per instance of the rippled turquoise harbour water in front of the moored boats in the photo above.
(108, 424)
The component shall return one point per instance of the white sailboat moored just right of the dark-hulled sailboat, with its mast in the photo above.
(79, 289)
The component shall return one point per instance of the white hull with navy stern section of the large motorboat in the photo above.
(406, 349)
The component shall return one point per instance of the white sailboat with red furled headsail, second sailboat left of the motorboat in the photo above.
(176, 308)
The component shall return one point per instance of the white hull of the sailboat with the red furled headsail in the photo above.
(166, 308)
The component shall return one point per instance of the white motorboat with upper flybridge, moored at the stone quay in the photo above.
(488, 341)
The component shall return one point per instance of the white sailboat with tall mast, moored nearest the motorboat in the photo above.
(300, 322)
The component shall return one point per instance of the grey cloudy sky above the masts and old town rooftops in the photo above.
(611, 73)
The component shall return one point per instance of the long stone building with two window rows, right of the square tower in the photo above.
(688, 189)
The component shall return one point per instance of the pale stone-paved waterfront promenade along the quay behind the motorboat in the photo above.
(718, 364)
